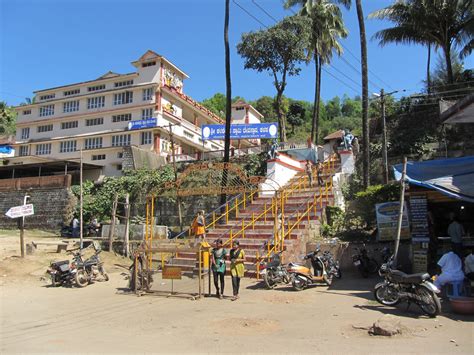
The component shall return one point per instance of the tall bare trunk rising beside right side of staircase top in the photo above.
(365, 96)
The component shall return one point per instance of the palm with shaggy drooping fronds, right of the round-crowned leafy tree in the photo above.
(326, 29)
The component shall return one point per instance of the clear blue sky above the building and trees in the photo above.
(47, 43)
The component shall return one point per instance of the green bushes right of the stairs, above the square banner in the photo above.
(366, 200)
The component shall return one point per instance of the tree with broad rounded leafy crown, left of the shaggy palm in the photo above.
(278, 50)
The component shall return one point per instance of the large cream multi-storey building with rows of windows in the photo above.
(101, 116)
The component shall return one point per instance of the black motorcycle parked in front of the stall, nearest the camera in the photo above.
(415, 288)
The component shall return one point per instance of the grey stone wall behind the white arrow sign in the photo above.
(52, 206)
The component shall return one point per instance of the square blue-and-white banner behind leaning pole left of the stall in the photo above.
(387, 220)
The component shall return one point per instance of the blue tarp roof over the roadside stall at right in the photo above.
(453, 177)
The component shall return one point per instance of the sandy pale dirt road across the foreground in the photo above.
(101, 318)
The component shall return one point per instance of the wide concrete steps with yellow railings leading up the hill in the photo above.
(262, 230)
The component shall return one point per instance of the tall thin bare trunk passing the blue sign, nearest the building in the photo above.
(228, 103)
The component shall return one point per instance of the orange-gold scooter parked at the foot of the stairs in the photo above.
(302, 276)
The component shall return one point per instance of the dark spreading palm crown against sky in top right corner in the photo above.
(444, 24)
